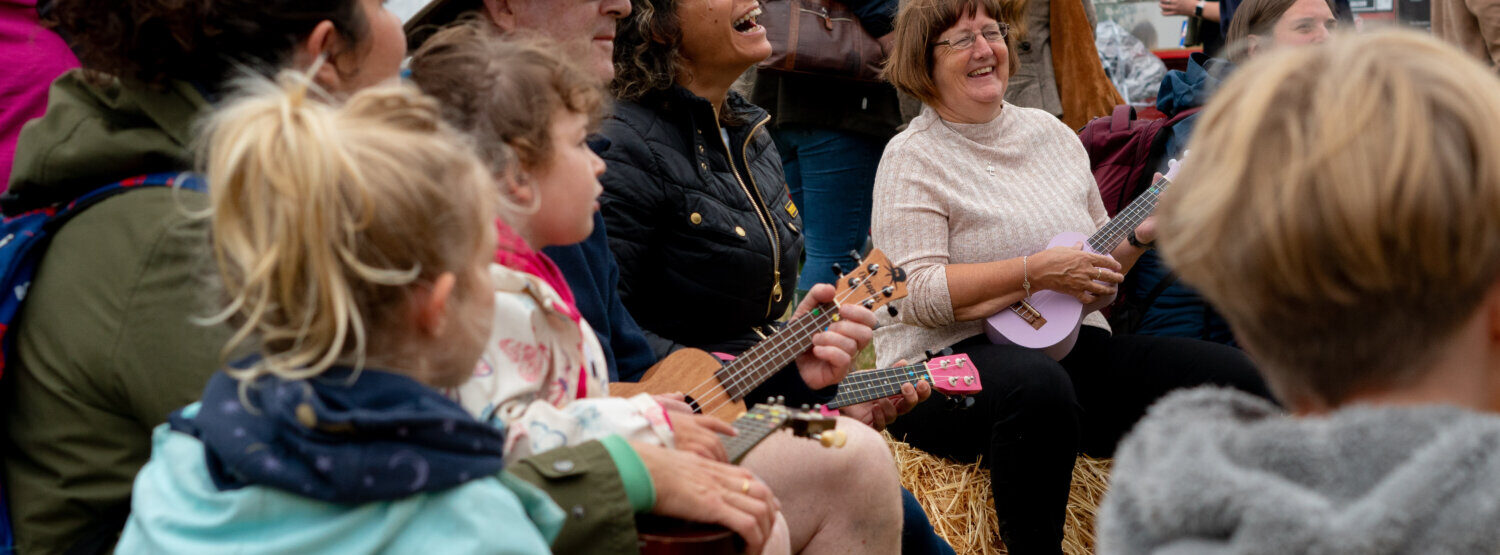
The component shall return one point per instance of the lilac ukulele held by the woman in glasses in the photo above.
(1049, 320)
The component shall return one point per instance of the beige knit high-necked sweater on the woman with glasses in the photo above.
(964, 194)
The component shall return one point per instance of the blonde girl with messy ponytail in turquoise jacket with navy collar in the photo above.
(353, 245)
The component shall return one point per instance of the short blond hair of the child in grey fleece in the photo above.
(1342, 208)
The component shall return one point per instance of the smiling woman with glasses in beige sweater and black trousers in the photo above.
(967, 200)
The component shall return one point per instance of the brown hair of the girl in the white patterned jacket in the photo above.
(505, 91)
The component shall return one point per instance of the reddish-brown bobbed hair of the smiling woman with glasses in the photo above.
(919, 23)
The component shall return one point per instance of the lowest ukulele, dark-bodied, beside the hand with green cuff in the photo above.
(664, 536)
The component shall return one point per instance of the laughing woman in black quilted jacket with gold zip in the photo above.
(698, 218)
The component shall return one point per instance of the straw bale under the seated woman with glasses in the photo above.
(961, 505)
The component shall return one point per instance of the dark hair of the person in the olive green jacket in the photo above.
(199, 41)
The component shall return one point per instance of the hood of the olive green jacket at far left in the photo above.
(98, 134)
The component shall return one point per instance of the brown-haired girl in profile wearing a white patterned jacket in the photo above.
(544, 376)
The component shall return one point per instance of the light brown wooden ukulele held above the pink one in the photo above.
(719, 389)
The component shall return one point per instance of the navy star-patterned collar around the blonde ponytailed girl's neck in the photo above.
(340, 437)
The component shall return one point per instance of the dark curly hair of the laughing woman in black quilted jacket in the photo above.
(647, 50)
